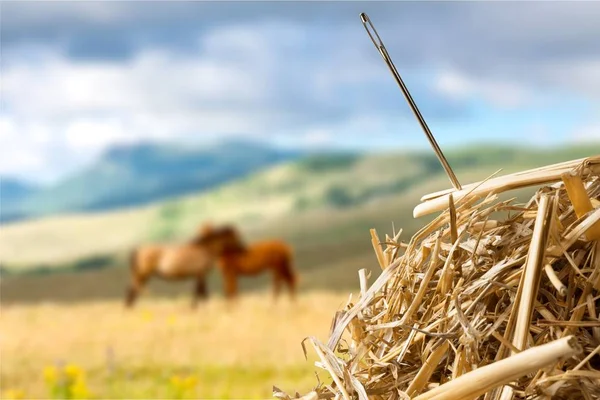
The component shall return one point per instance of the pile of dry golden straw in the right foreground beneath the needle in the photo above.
(491, 300)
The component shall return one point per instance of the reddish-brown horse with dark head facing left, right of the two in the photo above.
(237, 259)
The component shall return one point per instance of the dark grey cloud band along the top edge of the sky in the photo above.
(483, 37)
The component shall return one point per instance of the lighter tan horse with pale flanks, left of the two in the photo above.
(194, 259)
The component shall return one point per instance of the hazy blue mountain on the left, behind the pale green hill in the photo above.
(130, 175)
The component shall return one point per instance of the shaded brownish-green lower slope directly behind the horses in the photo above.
(330, 247)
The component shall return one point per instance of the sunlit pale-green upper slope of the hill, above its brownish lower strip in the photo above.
(314, 197)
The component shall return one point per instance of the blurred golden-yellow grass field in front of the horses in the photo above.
(233, 353)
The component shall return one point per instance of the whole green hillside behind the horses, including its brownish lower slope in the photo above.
(323, 205)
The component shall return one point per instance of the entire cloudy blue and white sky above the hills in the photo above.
(79, 77)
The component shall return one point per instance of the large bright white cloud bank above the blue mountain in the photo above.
(231, 84)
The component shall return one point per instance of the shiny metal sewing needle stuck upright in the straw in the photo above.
(386, 57)
